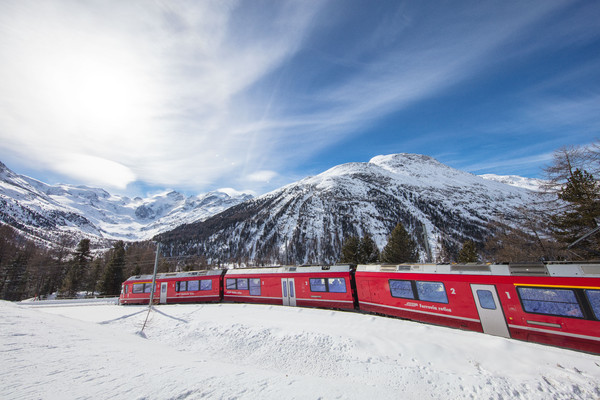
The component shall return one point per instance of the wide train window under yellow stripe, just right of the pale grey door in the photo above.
(550, 301)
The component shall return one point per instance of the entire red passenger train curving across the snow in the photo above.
(553, 303)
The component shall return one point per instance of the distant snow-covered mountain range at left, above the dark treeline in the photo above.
(49, 212)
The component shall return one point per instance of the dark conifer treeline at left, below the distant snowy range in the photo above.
(28, 270)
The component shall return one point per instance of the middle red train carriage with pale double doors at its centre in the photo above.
(307, 286)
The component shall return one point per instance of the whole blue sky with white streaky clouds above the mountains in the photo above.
(142, 96)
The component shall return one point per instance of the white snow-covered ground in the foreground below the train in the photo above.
(236, 351)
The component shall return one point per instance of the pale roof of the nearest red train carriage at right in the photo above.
(514, 269)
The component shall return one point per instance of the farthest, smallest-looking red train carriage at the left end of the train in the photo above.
(174, 287)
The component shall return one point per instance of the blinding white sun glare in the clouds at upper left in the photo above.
(99, 89)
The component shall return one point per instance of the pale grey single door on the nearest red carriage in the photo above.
(490, 310)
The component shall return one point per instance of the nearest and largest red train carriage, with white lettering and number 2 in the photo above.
(552, 303)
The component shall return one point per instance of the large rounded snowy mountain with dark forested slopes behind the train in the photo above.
(307, 221)
